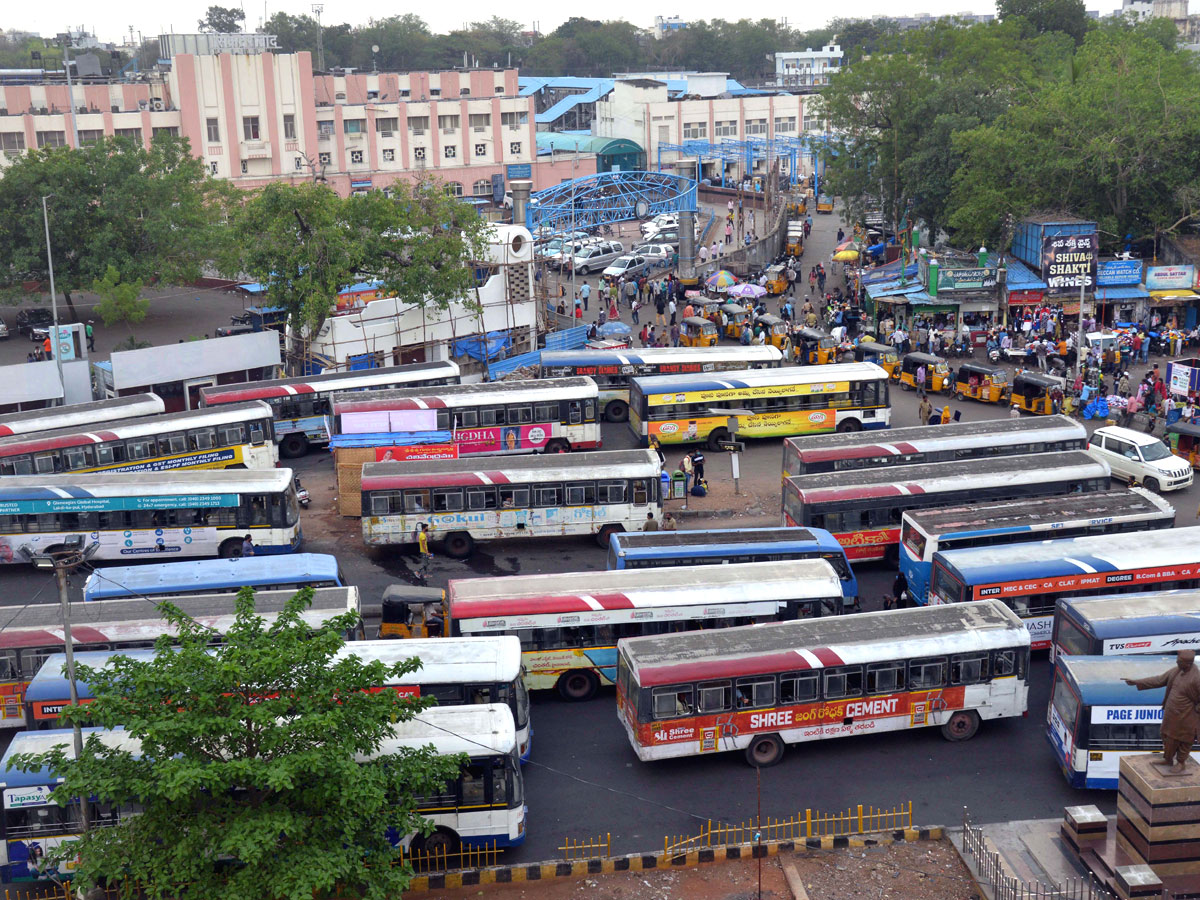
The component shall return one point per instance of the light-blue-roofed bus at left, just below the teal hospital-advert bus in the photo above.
(215, 577)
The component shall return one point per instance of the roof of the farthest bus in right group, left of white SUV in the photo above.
(898, 442)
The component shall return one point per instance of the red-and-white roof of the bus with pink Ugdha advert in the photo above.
(460, 395)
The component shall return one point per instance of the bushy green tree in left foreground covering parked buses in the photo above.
(249, 753)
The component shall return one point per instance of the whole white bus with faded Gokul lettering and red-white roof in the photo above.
(519, 497)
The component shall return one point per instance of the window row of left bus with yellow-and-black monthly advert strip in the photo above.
(115, 453)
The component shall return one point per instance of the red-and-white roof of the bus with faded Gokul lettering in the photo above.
(509, 470)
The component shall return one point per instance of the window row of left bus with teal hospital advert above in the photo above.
(256, 511)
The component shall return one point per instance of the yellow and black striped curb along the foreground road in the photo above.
(649, 862)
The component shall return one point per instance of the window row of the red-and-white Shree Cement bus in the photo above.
(835, 683)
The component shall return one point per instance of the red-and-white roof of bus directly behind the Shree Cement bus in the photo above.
(625, 591)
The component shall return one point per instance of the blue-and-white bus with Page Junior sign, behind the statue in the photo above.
(1095, 718)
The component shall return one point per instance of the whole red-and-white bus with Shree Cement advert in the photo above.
(757, 689)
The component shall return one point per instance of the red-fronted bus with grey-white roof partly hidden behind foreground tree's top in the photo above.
(35, 632)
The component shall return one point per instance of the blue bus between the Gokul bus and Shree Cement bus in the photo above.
(723, 547)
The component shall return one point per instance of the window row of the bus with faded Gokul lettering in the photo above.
(457, 500)
